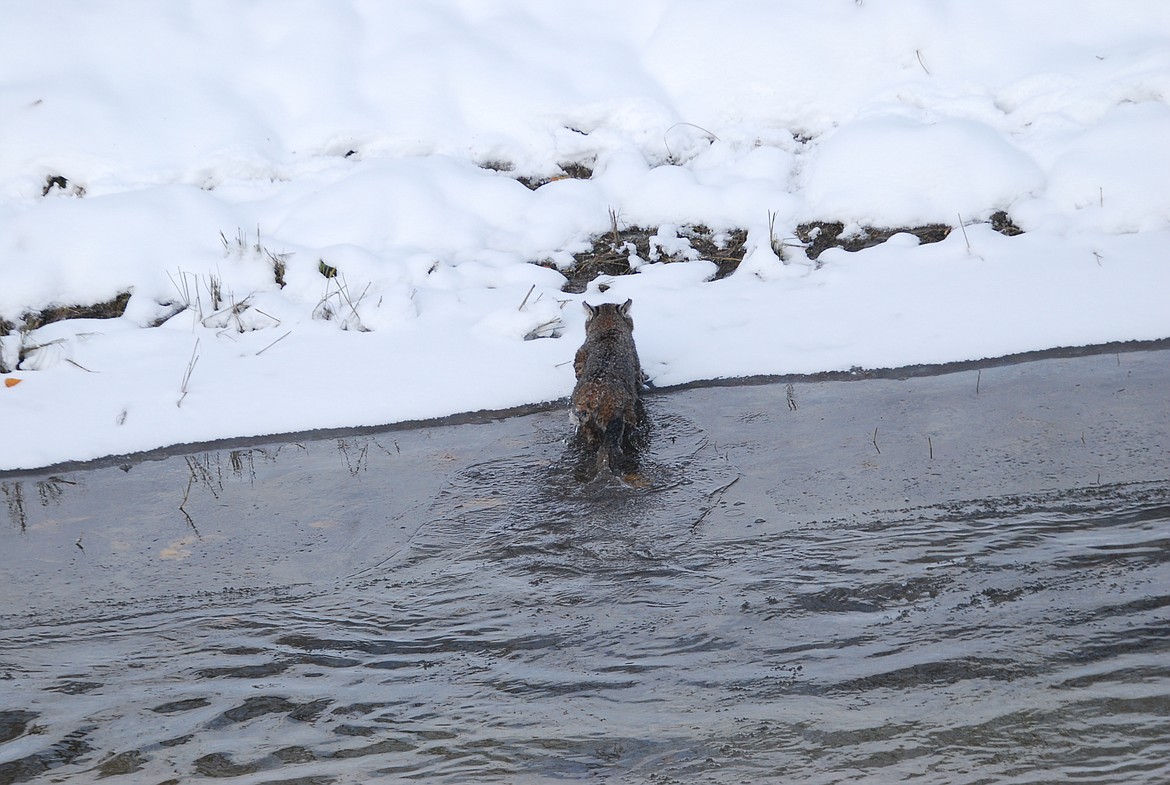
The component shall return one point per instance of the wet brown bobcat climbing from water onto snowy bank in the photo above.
(609, 377)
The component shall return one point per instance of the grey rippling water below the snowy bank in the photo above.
(962, 579)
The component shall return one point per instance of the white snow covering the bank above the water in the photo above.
(202, 143)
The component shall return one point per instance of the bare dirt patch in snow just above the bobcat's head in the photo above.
(611, 253)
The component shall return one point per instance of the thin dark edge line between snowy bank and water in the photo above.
(905, 374)
